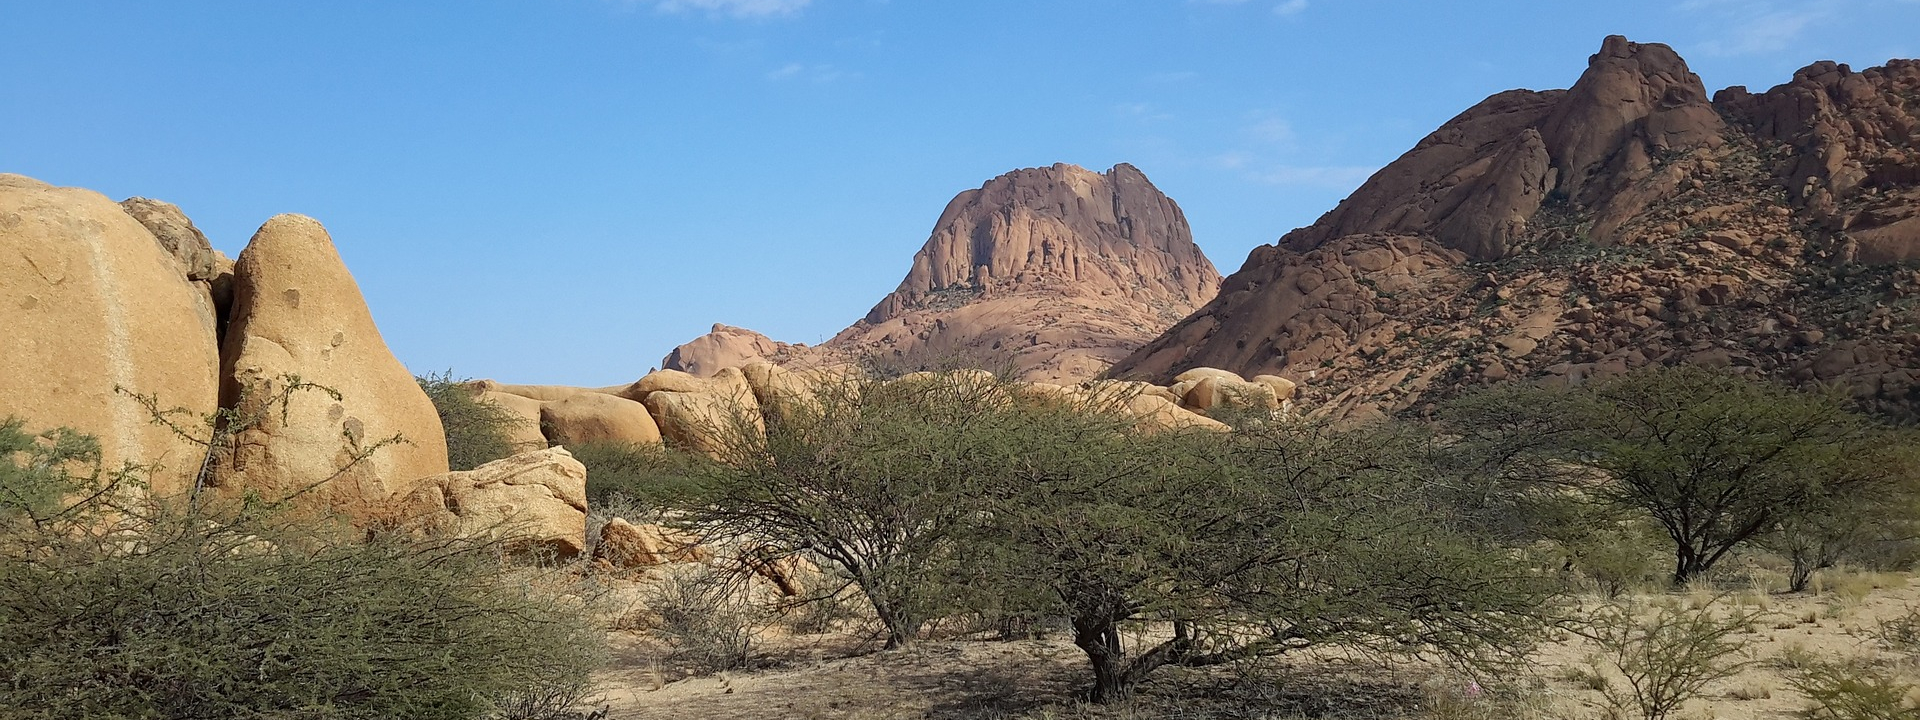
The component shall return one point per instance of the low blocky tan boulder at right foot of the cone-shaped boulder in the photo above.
(535, 500)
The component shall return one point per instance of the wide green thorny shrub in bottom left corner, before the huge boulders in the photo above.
(110, 610)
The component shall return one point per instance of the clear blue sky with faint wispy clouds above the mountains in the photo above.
(562, 191)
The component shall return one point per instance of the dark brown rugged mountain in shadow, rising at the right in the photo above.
(1577, 233)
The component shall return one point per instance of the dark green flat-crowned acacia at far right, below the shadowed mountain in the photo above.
(1714, 458)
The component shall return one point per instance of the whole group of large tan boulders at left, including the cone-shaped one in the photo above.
(128, 325)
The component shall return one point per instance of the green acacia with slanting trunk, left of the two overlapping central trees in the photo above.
(865, 475)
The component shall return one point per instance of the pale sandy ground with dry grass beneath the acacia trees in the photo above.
(840, 677)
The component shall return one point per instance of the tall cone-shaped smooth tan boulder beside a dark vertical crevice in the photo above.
(299, 312)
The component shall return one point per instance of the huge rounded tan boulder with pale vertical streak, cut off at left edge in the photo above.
(91, 300)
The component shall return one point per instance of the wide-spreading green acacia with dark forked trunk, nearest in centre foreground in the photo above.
(1247, 546)
